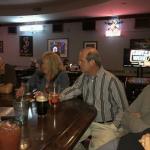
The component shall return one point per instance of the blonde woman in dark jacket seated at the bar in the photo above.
(51, 72)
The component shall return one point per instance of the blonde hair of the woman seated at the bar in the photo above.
(54, 62)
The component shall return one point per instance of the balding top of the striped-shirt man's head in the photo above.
(92, 54)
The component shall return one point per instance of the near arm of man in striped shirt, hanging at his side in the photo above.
(120, 99)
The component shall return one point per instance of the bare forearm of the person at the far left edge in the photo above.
(6, 88)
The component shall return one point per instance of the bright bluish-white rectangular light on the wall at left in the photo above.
(31, 28)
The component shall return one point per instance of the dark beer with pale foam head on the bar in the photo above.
(42, 105)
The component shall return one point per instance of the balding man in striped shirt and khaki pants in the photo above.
(103, 90)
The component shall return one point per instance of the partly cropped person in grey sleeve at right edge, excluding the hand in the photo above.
(137, 121)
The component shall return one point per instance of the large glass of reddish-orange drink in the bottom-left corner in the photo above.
(10, 135)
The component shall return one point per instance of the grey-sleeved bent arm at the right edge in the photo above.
(134, 117)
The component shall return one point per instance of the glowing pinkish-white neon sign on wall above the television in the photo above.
(113, 27)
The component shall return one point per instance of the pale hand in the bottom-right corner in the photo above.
(145, 141)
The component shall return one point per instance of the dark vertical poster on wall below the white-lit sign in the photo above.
(26, 46)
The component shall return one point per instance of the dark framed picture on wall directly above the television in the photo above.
(140, 43)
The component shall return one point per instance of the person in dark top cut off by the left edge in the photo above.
(7, 77)
